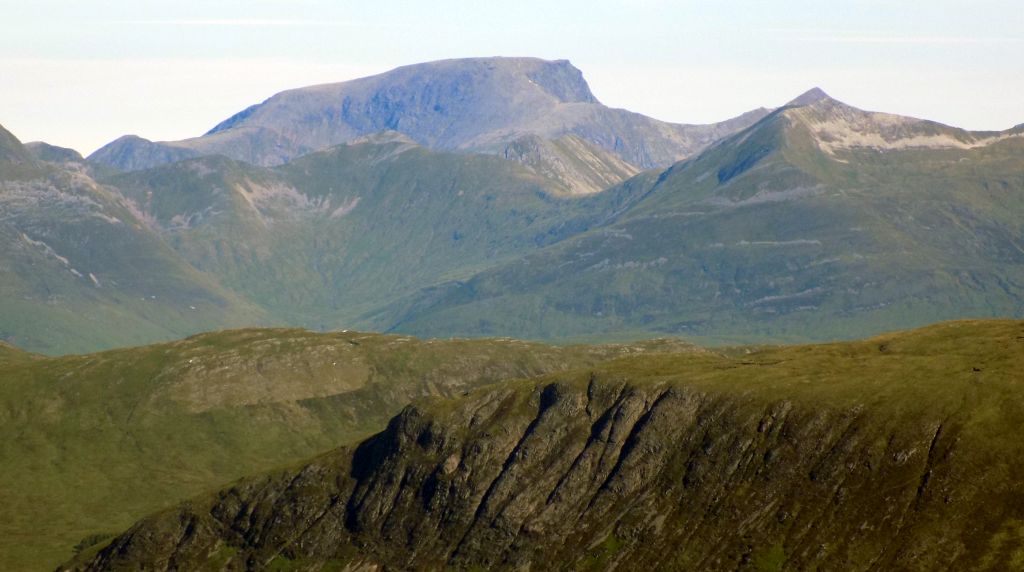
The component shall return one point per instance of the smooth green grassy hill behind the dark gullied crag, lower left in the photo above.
(92, 444)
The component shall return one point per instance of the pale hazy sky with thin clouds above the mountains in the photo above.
(81, 73)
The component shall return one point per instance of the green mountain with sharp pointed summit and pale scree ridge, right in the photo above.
(822, 222)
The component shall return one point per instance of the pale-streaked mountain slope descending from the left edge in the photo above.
(80, 271)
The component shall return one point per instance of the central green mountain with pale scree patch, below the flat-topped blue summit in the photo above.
(335, 234)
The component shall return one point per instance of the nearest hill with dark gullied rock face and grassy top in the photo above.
(899, 453)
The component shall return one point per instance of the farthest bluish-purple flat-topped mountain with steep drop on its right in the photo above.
(475, 105)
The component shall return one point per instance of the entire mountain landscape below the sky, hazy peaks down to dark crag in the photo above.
(467, 202)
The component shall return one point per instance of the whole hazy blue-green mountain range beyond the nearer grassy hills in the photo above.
(497, 197)
